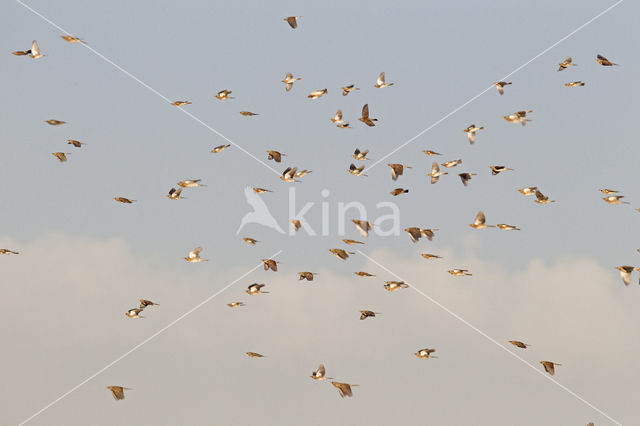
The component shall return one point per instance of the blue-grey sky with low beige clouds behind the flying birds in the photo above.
(86, 259)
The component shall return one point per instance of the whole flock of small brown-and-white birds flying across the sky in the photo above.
(291, 174)
